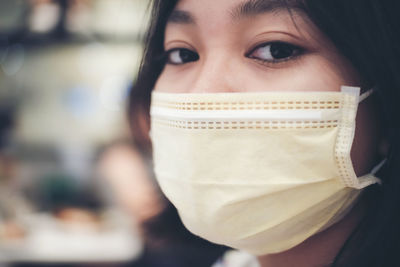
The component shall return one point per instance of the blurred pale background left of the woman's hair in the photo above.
(67, 195)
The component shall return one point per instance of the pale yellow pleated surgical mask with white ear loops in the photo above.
(261, 172)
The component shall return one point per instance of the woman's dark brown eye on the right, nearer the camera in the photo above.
(275, 52)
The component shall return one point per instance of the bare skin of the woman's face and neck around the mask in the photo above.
(228, 62)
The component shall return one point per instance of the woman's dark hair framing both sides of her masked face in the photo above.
(367, 33)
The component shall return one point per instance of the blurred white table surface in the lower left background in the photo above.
(49, 240)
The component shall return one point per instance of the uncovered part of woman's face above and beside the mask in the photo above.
(257, 45)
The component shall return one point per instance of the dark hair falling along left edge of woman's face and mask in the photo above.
(165, 227)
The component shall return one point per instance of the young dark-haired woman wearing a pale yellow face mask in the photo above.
(273, 125)
